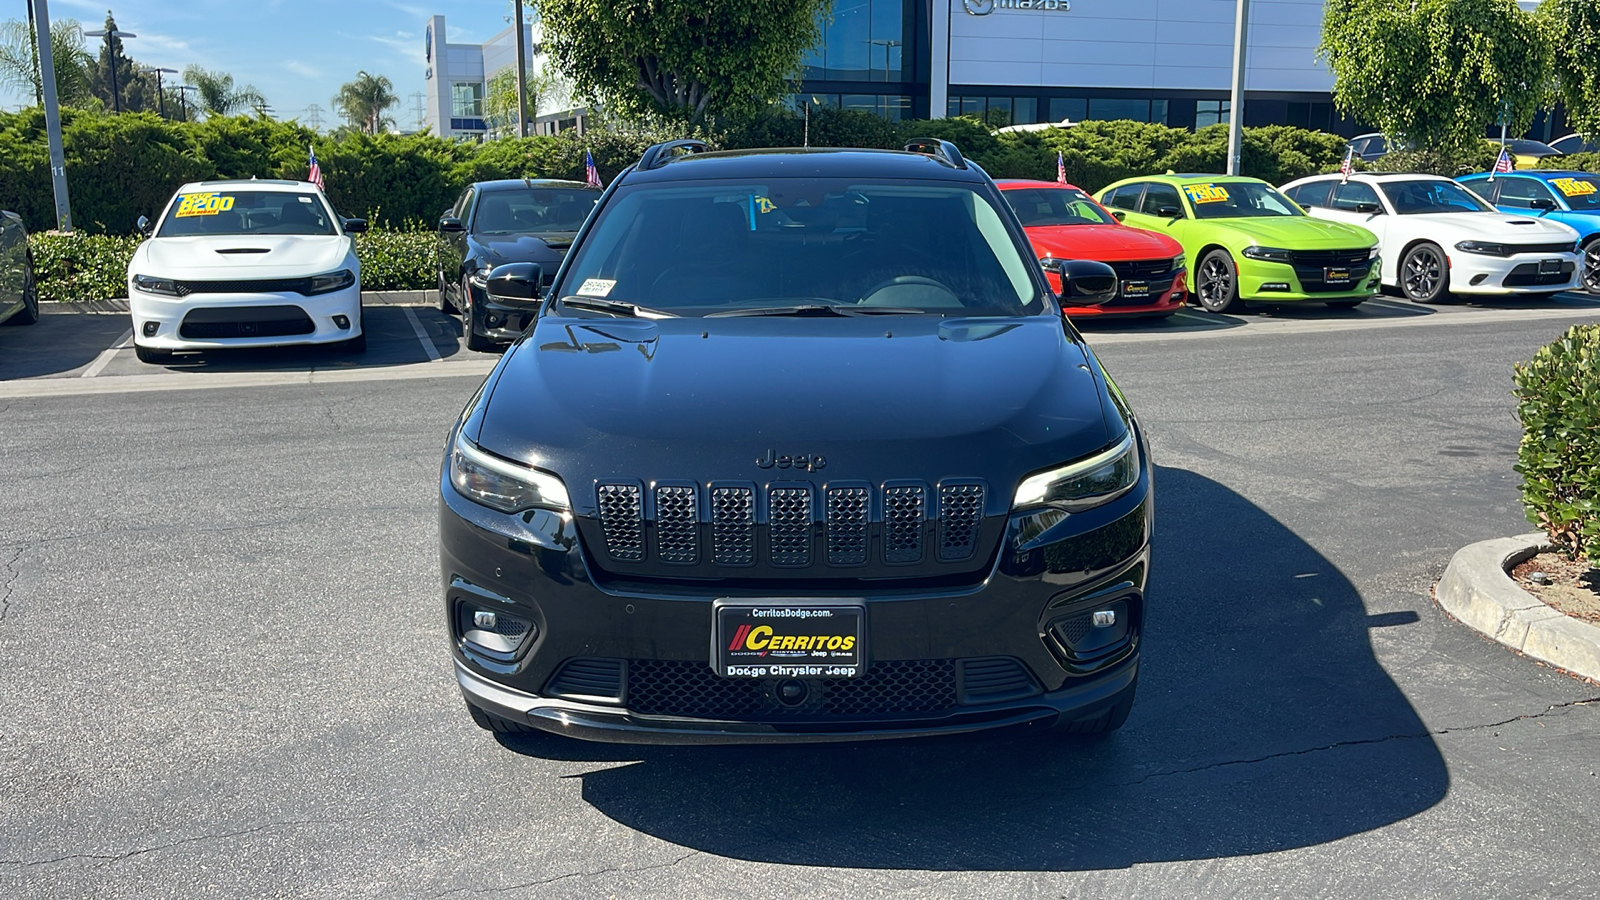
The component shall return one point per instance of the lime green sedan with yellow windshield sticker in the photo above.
(1247, 243)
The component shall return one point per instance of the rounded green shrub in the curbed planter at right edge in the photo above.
(1559, 459)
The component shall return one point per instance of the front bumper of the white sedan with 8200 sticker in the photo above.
(159, 321)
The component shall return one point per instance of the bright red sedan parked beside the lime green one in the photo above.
(1066, 223)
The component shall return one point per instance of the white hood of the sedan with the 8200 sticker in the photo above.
(252, 257)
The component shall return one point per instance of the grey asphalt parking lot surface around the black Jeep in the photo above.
(230, 672)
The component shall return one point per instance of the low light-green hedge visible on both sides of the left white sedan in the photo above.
(95, 267)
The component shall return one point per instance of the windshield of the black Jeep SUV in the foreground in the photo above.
(828, 246)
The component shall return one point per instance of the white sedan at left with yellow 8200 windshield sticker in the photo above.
(246, 263)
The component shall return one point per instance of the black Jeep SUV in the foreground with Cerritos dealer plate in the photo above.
(799, 449)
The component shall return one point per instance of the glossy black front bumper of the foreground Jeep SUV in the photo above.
(1047, 574)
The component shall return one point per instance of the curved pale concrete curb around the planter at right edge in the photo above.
(1479, 592)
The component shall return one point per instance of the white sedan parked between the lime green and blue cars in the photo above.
(1439, 238)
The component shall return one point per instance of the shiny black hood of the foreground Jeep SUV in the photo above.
(878, 398)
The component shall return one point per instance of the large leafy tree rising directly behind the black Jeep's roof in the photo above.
(681, 58)
